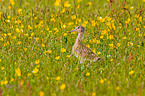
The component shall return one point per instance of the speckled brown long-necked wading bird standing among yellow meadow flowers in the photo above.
(79, 50)
